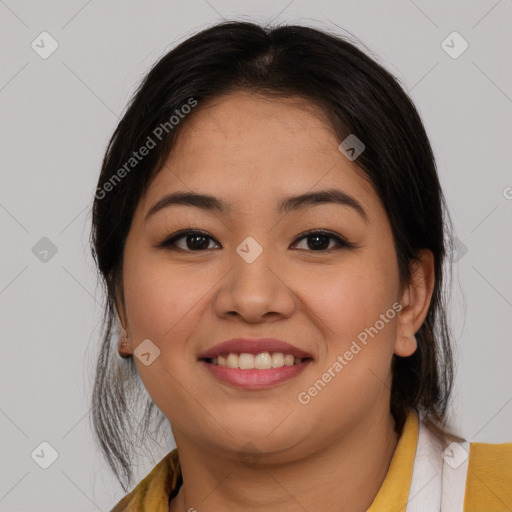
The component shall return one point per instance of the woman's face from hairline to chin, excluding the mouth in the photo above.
(330, 294)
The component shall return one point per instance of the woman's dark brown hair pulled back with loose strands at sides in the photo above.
(358, 97)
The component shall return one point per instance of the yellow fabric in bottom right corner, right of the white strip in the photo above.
(489, 477)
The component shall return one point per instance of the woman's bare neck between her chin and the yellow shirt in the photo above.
(344, 476)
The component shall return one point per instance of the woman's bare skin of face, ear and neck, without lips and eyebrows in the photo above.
(333, 453)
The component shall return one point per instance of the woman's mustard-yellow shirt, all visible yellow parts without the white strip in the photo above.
(488, 486)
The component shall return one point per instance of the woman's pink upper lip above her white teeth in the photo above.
(254, 346)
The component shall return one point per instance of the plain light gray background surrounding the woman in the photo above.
(57, 116)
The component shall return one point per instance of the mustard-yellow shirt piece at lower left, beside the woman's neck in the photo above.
(152, 493)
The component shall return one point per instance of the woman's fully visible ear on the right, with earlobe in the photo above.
(415, 303)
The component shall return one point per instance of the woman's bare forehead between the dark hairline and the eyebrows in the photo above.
(250, 149)
